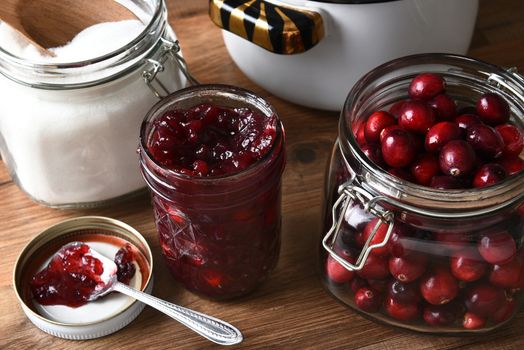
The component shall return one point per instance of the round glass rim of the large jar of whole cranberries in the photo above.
(402, 192)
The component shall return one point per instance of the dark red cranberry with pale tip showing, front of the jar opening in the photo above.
(457, 158)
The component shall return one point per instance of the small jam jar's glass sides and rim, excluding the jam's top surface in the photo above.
(220, 236)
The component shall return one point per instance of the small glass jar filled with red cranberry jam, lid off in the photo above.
(213, 156)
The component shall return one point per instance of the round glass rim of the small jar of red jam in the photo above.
(232, 90)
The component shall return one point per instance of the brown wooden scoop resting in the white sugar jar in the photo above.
(53, 23)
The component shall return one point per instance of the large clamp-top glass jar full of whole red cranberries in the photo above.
(424, 205)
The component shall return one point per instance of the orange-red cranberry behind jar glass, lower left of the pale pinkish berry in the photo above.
(467, 265)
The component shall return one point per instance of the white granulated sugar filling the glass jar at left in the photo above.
(75, 146)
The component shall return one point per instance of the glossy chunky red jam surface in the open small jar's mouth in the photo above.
(209, 140)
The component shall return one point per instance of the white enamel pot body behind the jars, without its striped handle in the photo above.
(358, 37)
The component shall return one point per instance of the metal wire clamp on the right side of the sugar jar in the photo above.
(168, 50)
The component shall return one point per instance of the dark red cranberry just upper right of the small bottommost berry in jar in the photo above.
(484, 299)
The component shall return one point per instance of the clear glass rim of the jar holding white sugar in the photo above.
(130, 54)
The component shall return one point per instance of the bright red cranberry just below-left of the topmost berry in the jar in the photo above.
(417, 116)
